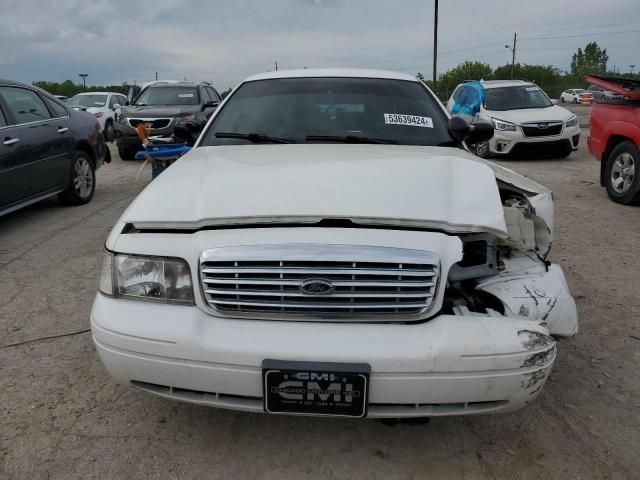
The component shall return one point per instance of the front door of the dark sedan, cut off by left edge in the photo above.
(13, 169)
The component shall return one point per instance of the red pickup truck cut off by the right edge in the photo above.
(614, 139)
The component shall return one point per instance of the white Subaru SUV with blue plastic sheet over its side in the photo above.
(525, 119)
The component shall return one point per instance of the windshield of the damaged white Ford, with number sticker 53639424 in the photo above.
(313, 110)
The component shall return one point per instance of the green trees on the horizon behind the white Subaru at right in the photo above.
(590, 60)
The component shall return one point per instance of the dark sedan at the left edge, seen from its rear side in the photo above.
(46, 149)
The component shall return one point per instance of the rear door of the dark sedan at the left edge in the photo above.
(44, 139)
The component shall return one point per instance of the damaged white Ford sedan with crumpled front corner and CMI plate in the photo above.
(328, 247)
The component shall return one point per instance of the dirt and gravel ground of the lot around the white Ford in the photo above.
(62, 417)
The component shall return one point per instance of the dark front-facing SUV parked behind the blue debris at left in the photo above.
(164, 104)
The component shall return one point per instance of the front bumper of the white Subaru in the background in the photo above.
(504, 143)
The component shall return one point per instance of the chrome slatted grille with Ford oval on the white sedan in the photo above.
(368, 283)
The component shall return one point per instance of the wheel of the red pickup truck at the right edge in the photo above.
(622, 174)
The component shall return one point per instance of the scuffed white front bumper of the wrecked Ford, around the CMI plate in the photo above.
(452, 364)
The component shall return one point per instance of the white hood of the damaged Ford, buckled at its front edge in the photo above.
(402, 186)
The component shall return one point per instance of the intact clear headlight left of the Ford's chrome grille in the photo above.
(159, 279)
